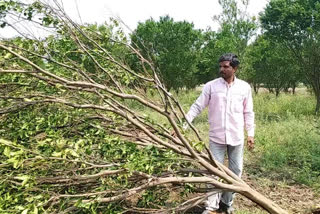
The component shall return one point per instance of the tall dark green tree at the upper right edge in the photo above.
(296, 25)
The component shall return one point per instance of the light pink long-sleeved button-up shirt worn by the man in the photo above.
(230, 110)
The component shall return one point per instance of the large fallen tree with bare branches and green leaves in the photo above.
(86, 136)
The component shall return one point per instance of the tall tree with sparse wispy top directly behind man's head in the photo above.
(235, 31)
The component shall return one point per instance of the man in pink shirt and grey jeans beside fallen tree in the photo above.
(230, 106)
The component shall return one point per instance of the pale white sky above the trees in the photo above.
(199, 12)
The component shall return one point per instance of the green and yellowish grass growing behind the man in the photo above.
(287, 137)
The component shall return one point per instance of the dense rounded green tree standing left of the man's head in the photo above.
(173, 47)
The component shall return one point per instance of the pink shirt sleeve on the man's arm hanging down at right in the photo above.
(249, 114)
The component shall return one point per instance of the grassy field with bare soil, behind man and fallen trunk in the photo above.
(285, 164)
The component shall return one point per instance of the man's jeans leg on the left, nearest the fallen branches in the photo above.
(218, 151)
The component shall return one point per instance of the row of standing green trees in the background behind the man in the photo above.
(283, 55)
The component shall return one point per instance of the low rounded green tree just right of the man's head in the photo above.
(267, 63)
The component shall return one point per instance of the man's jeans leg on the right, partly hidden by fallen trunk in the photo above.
(235, 157)
